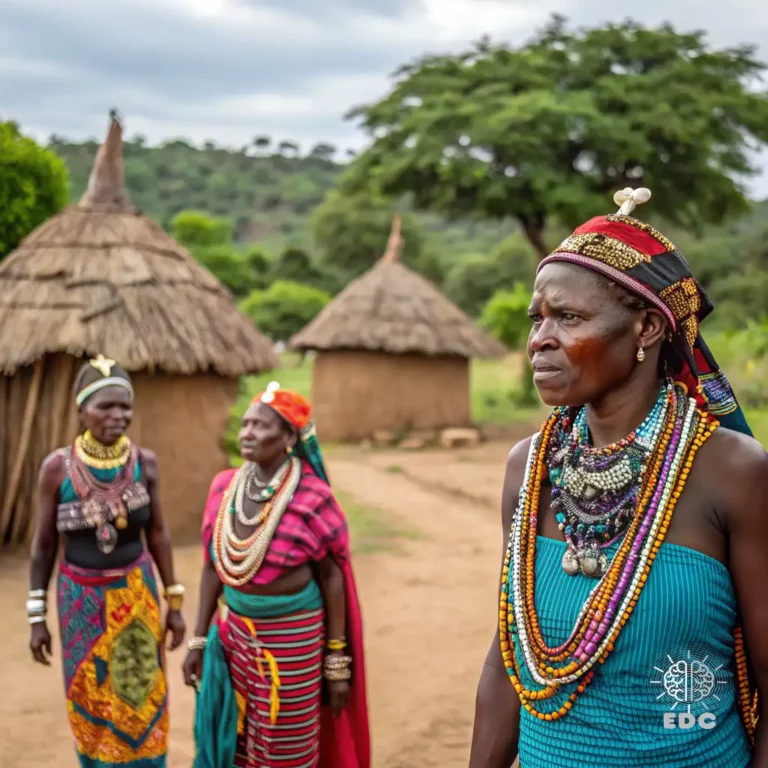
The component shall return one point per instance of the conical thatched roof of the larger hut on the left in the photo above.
(100, 277)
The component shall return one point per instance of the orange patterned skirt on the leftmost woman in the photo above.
(112, 641)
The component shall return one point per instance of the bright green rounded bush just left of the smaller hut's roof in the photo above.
(284, 308)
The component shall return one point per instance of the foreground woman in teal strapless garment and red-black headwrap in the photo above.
(632, 624)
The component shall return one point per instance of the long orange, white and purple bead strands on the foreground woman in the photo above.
(611, 602)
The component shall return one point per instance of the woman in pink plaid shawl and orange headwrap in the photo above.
(280, 672)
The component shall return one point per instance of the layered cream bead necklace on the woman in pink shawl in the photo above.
(238, 560)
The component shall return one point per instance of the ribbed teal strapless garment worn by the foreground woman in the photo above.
(684, 617)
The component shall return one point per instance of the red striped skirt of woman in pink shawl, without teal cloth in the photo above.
(276, 670)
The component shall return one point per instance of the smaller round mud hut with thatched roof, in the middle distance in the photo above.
(393, 354)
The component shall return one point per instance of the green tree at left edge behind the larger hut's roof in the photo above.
(33, 186)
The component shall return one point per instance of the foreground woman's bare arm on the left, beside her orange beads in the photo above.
(497, 707)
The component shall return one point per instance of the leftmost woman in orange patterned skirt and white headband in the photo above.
(100, 495)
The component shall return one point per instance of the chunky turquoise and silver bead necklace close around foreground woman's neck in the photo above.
(595, 490)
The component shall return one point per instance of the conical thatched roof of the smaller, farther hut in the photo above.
(392, 309)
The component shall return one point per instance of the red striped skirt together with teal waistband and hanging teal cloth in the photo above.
(269, 672)
